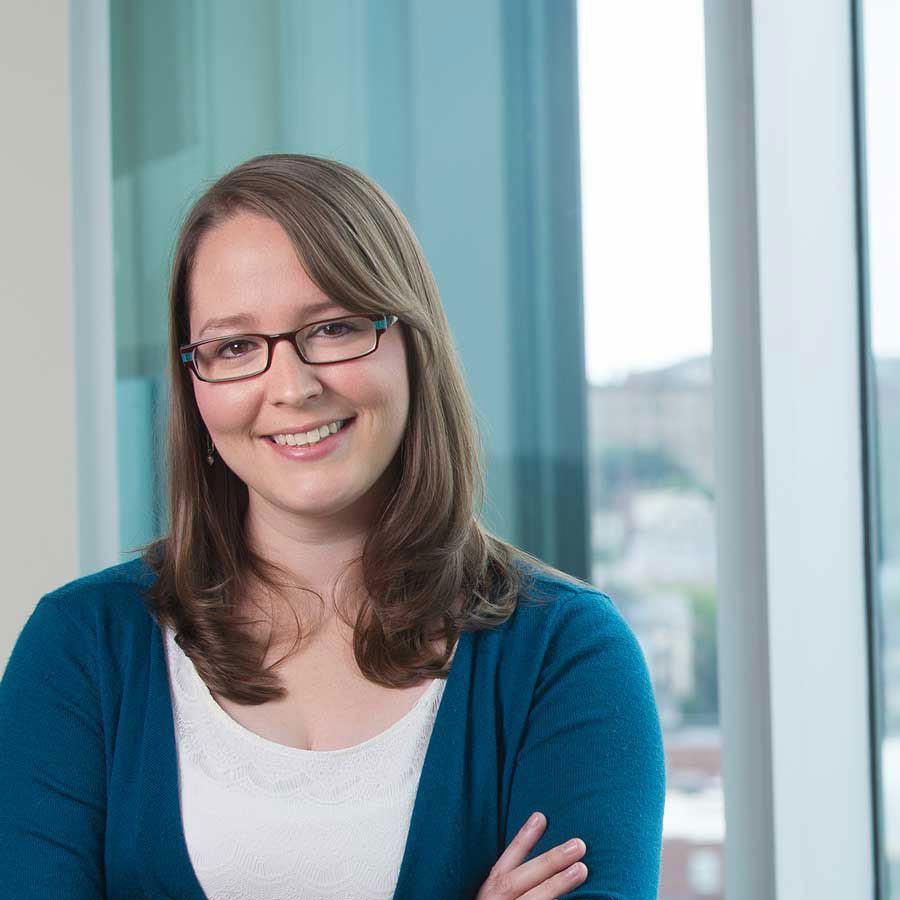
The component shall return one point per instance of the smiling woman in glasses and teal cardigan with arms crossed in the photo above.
(327, 679)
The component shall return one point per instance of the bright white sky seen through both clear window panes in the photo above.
(644, 182)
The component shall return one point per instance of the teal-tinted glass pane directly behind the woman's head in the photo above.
(198, 87)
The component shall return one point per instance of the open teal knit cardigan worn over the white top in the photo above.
(552, 710)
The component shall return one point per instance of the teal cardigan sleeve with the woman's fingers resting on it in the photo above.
(591, 757)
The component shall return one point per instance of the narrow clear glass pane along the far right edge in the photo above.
(881, 64)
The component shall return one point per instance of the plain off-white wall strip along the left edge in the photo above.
(38, 535)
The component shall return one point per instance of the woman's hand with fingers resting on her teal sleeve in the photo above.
(545, 877)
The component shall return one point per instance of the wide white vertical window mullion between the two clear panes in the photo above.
(792, 626)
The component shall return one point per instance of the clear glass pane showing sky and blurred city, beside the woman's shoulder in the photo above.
(648, 314)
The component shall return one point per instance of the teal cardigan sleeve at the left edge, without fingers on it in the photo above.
(52, 781)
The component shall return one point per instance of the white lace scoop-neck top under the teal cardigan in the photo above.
(263, 821)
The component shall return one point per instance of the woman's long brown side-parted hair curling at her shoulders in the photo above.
(430, 570)
